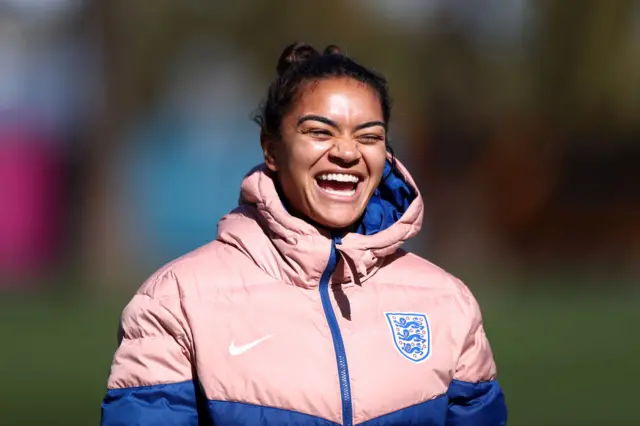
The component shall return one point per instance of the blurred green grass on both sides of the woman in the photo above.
(562, 361)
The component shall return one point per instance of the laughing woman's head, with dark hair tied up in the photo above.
(324, 127)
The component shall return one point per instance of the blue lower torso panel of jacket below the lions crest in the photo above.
(429, 413)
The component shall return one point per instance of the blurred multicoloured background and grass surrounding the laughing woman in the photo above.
(125, 131)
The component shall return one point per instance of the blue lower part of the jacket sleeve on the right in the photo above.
(476, 404)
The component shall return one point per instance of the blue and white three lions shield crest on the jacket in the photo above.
(411, 334)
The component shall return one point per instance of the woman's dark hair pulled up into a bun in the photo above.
(300, 64)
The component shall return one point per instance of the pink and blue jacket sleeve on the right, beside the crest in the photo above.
(475, 397)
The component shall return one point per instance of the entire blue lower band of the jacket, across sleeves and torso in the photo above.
(466, 404)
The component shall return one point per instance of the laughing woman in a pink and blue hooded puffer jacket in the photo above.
(305, 311)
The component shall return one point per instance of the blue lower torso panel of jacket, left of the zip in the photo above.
(239, 414)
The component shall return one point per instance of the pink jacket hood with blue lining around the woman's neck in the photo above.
(293, 250)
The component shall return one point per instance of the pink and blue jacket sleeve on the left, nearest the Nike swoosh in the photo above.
(151, 380)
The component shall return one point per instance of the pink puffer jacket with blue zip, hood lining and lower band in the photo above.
(279, 323)
